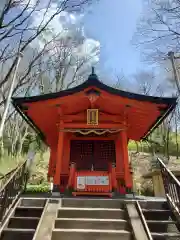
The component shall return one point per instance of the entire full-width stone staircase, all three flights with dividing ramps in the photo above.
(89, 219)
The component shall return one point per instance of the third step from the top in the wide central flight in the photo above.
(90, 223)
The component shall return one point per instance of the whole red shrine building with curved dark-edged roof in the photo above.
(87, 129)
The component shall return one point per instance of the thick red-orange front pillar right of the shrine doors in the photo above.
(127, 174)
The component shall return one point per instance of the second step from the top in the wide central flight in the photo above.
(102, 213)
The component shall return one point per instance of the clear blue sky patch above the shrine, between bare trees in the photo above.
(112, 23)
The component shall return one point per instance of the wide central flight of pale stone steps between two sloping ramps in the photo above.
(92, 219)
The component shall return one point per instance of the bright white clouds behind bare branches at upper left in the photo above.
(67, 24)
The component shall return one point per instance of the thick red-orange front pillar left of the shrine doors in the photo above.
(59, 158)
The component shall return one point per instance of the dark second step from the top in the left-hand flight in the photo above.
(28, 211)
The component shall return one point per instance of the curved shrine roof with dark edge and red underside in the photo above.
(142, 113)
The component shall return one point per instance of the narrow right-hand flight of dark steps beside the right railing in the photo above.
(161, 222)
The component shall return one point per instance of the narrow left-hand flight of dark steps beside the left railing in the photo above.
(23, 220)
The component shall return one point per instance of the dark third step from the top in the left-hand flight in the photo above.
(23, 222)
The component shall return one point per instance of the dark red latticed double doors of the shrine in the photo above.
(94, 155)
